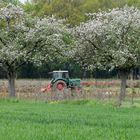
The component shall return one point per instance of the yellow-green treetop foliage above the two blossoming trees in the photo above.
(73, 10)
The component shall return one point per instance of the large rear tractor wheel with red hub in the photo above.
(59, 86)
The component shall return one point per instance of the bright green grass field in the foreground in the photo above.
(71, 120)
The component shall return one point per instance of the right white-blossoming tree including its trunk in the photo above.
(111, 40)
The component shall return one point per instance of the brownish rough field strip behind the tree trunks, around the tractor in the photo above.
(100, 89)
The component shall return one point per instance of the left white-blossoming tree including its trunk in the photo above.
(25, 39)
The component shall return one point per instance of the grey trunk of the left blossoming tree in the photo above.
(11, 84)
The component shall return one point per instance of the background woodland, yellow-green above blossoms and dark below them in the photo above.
(74, 12)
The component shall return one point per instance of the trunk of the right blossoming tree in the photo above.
(123, 77)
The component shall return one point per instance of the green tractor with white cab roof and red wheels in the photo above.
(61, 81)
